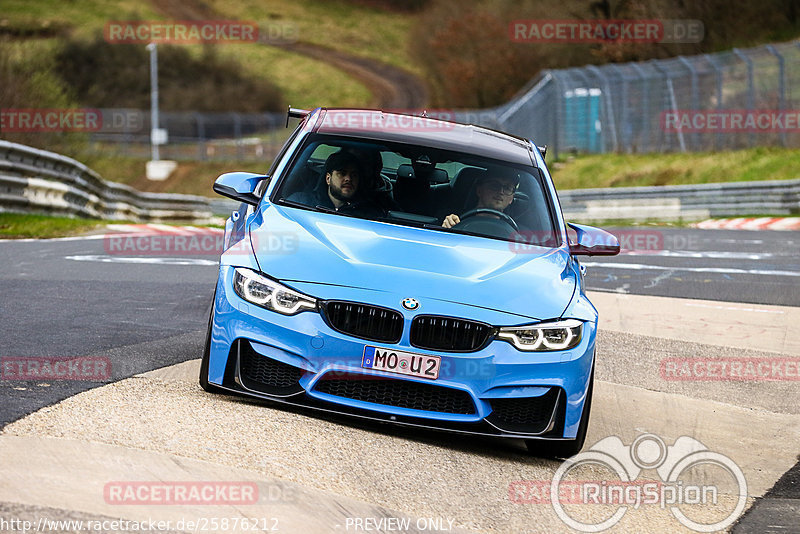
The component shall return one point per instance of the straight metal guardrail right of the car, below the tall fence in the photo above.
(671, 202)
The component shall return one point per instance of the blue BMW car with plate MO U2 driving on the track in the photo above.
(408, 270)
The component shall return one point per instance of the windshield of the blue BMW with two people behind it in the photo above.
(420, 186)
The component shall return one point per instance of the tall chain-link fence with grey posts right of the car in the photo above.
(735, 99)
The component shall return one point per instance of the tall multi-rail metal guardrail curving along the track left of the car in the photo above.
(33, 180)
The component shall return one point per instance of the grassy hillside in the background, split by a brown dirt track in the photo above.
(36, 28)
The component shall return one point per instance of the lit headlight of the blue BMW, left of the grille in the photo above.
(269, 294)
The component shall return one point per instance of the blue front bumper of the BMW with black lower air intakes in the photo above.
(301, 360)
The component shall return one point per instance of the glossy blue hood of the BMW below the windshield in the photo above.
(298, 245)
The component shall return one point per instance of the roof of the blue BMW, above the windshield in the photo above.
(419, 130)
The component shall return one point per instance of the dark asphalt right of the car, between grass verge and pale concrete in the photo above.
(727, 265)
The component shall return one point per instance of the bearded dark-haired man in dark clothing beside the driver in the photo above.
(342, 189)
